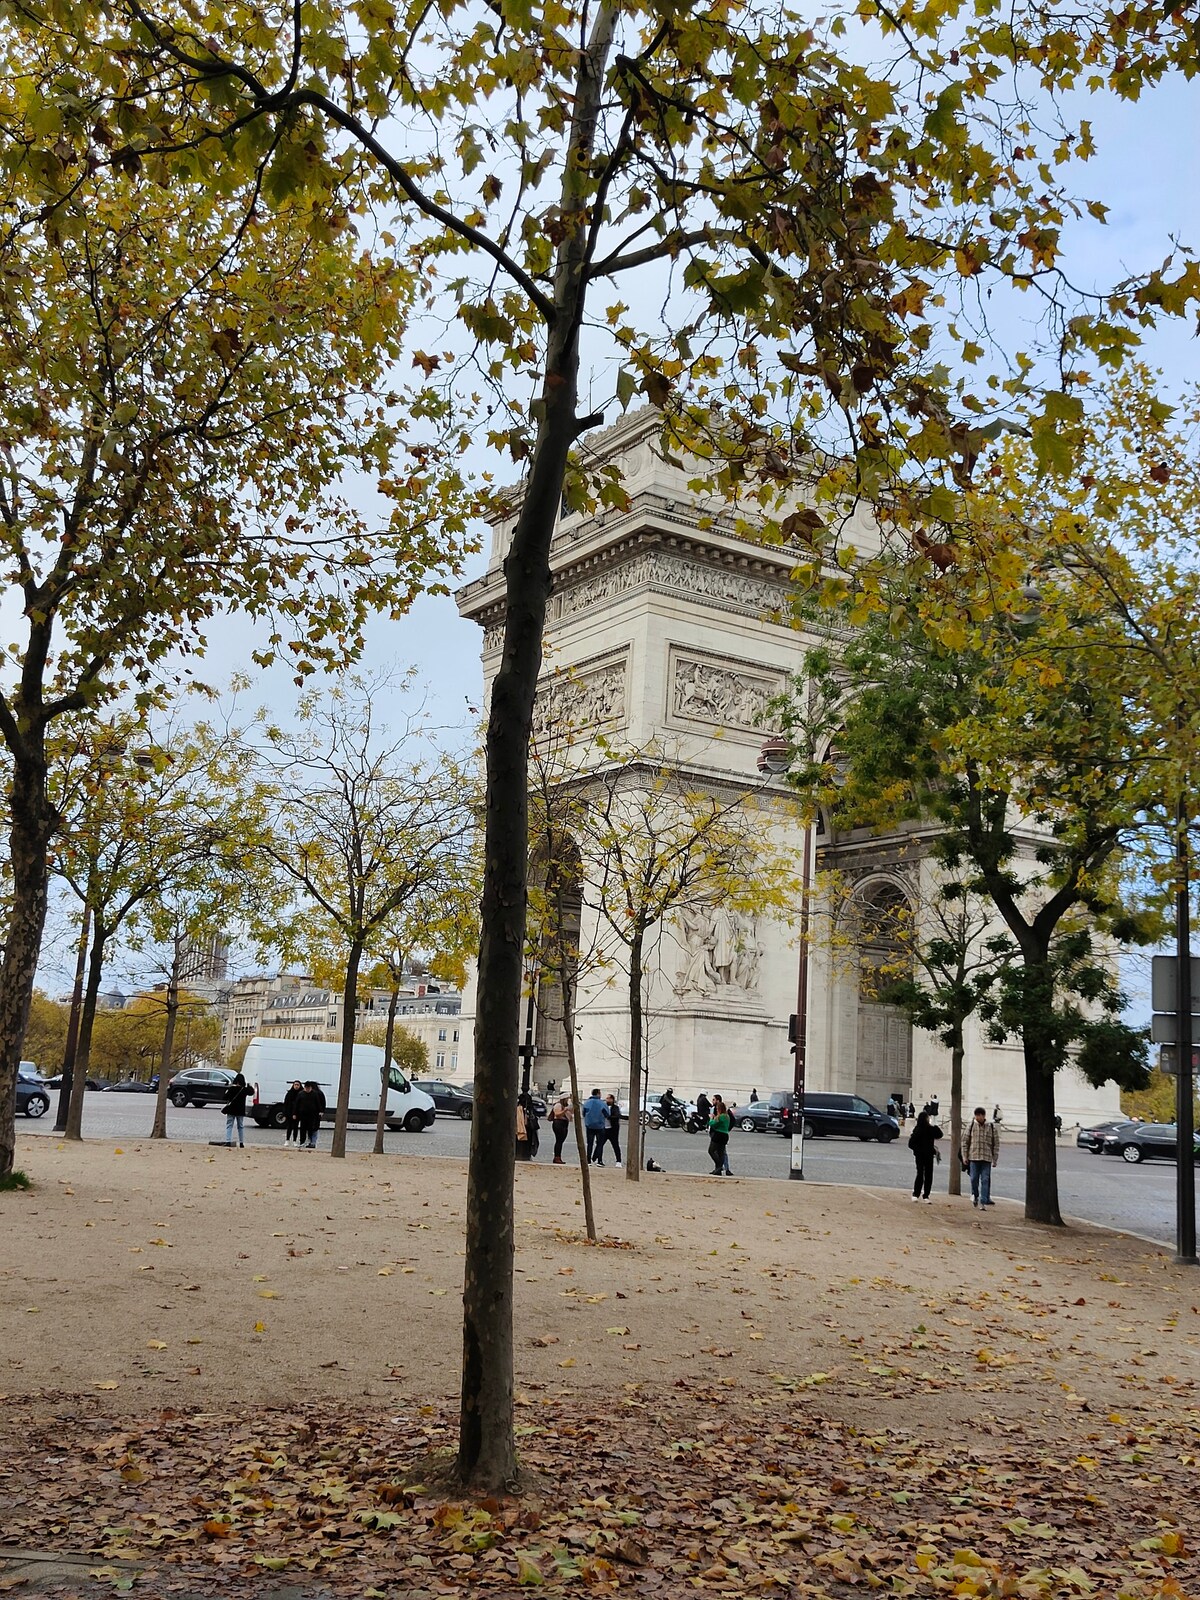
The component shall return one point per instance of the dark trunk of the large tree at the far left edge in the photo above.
(31, 830)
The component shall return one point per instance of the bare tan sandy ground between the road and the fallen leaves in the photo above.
(148, 1276)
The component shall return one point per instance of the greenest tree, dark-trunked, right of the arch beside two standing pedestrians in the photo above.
(1039, 834)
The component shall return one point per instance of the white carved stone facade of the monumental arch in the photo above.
(678, 636)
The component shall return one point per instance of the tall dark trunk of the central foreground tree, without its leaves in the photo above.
(487, 1458)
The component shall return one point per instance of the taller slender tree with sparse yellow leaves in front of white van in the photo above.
(361, 830)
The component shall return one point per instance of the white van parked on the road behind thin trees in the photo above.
(274, 1065)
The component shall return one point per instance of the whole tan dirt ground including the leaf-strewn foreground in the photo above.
(849, 1337)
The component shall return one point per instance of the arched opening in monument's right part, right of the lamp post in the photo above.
(884, 1062)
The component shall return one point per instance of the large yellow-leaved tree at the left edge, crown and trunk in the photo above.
(188, 374)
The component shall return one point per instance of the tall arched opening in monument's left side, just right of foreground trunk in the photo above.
(558, 898)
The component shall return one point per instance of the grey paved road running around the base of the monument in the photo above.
(1092, 1188)
